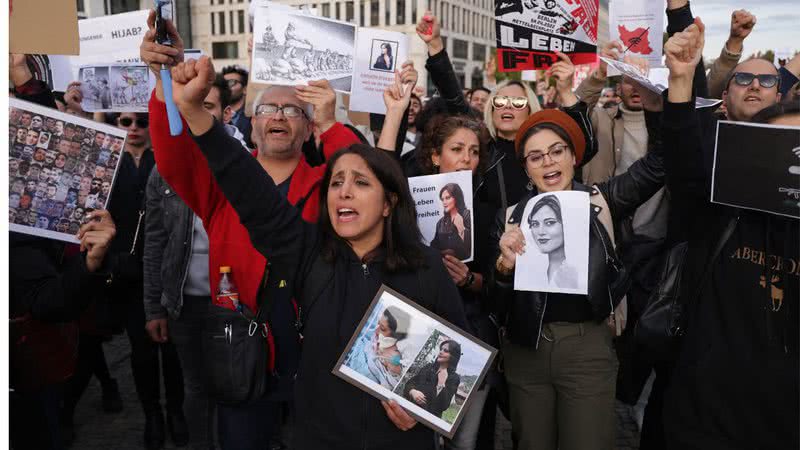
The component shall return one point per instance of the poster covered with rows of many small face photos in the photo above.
(60, 167)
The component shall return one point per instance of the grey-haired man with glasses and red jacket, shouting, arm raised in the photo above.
(283, 119)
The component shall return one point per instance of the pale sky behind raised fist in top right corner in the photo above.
(777, 24)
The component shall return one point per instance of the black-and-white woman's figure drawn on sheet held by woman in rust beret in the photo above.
(547, 229)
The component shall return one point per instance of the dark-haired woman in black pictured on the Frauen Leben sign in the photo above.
(454, 230)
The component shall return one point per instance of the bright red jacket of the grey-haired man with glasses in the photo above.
(184, 167)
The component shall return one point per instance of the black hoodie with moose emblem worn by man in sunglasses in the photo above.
(735, 383)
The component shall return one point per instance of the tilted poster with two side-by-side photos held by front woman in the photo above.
(397, 351)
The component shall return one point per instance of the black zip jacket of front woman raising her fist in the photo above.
(334, 297)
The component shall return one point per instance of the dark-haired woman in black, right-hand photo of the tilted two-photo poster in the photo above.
(435, 385)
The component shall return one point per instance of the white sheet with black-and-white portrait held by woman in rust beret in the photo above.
(556, 230)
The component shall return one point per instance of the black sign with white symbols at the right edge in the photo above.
(741, 154)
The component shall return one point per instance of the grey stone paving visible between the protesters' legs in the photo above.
(98, 431)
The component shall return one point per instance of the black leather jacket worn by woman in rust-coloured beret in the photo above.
(524, 311)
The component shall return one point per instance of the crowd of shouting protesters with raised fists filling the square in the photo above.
(290, 191)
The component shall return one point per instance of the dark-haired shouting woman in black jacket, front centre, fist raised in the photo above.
(366, 236)
